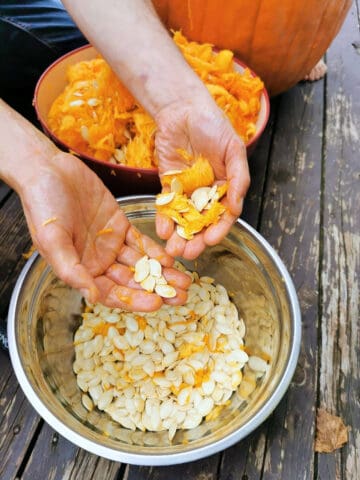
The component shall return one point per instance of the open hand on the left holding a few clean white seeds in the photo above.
(79, 229)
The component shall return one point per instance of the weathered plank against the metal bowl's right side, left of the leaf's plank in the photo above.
(290, 222)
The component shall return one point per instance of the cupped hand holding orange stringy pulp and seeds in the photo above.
(200, 127)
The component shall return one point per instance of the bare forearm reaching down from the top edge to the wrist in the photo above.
(130, 36)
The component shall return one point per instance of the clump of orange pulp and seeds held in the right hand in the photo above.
(199, 211)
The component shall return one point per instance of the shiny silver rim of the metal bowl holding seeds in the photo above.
(156, 459)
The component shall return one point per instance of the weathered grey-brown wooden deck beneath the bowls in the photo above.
(305, 200)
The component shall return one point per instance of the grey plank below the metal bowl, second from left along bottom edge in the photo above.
(55, 457)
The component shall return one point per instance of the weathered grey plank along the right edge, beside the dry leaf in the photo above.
(340, 319)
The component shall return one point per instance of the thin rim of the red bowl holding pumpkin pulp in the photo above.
(118, 166)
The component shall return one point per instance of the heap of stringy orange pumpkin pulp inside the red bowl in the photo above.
(97, 116)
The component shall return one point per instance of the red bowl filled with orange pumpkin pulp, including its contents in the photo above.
(85, 109)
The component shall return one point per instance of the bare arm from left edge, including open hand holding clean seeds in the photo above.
(66, 206)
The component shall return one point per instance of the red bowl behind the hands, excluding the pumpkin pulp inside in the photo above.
(120, 179)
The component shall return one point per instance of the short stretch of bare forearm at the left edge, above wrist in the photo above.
(24, 150)
